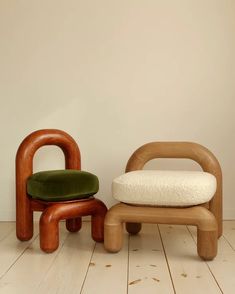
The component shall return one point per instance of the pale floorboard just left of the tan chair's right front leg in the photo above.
(190, 274)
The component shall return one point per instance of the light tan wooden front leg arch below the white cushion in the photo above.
(198, 216)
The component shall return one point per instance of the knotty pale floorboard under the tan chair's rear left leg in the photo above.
(148, 271)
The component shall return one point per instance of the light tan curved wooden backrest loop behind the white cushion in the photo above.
(189, 150)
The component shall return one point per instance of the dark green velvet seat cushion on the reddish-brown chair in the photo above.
(60, 185)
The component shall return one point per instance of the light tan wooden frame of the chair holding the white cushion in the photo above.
(206, 216)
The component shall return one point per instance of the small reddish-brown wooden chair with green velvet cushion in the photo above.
(66, 207)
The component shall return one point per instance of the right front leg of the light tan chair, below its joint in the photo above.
(207, 244)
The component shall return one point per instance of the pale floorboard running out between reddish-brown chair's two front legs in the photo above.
(68, 271)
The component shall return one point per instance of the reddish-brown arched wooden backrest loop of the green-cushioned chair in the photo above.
(24, 169)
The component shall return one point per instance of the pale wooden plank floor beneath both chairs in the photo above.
(161, 259)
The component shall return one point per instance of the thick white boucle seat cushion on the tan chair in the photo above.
(164, 188)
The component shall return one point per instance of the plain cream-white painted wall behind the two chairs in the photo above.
(116, 75)
